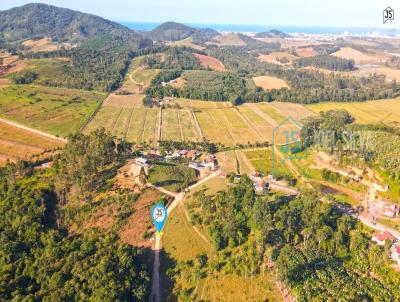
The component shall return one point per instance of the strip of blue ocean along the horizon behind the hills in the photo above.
(146, 26)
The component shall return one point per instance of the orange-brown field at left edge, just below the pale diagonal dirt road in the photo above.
(16, 143)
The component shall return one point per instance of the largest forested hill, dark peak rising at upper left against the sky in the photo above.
(40, 20)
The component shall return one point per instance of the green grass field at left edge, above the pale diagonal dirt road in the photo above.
(59, 111)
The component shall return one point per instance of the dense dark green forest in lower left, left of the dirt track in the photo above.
(39, 260)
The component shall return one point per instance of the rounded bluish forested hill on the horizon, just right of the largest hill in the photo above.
(172, 31)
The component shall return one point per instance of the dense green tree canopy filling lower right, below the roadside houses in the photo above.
(318, 251)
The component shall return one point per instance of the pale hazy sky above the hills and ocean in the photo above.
(341, 13)
